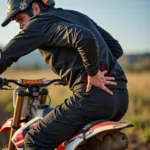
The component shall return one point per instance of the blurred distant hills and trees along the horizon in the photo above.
(130, 63)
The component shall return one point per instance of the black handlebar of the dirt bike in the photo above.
(5, 82)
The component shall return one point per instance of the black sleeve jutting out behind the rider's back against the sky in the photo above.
(113, 44)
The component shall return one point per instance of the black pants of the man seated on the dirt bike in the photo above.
(67, 118)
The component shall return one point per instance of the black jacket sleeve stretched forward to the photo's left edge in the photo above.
(22, 44)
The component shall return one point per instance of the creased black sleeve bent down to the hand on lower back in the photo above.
(64, 34)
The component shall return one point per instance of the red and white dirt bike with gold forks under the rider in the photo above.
(29, 101)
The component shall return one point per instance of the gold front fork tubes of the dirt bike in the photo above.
(17, 113)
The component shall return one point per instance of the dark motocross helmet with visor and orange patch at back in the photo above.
(16, 6)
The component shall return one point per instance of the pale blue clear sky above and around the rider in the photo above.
(128, 21)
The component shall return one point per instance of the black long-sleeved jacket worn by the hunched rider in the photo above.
(70, 43)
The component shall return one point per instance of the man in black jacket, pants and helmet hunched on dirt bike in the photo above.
(77, 49)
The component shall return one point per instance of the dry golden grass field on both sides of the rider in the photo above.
(138, 112)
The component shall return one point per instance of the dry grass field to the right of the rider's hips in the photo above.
(138, 112)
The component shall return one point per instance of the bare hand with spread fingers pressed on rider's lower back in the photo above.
(99, 80)
